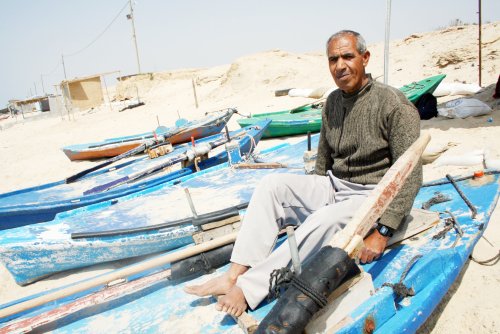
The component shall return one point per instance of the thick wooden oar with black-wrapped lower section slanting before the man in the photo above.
(289, 313)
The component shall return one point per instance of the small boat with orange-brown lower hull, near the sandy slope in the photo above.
(211, 124)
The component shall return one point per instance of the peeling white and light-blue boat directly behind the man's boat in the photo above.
(141, 223)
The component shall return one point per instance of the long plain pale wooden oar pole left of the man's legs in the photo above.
(118, 274)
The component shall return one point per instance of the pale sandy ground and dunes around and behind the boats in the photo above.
(30, 147)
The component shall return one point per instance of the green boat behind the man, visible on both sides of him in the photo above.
(308, 118)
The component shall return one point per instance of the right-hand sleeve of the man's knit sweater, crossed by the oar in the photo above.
(404, 125)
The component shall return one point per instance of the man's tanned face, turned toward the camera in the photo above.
(347, 65)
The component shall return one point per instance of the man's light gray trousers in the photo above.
(319, 204)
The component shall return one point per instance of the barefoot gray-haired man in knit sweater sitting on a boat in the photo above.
(366, 126)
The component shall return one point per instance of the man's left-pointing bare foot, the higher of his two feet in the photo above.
(219, 285)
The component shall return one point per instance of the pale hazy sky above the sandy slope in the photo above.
(95, 36)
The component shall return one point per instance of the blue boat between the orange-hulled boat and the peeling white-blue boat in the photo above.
(42, 203)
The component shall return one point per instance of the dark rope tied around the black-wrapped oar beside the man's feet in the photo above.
(281, 278)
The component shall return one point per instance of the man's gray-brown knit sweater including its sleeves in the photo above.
(363, 134)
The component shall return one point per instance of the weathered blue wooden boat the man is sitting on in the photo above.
(432, 260)
